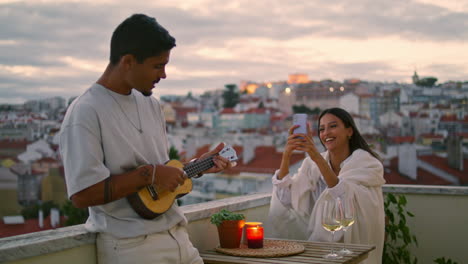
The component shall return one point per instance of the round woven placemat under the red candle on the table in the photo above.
(271, 248)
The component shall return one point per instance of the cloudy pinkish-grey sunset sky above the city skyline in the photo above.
(50, 48)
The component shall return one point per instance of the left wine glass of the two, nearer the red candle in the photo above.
(331, 221)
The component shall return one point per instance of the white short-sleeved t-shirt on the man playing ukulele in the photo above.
(98, 139)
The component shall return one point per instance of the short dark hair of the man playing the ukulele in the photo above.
(141, 36)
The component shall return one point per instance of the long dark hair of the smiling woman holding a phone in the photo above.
(356, 141)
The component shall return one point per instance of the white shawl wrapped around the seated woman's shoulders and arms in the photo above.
(361, 177)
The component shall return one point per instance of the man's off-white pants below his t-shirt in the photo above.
(171, 247)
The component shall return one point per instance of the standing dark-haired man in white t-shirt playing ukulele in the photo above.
(113, 143)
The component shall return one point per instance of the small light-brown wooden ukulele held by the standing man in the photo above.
(151, 202)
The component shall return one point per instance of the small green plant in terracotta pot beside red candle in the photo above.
(229, 226)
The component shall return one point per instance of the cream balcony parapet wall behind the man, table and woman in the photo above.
(441, 216)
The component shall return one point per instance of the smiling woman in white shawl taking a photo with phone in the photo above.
(347, 167)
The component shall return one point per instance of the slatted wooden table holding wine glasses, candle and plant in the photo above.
(314, 252)
